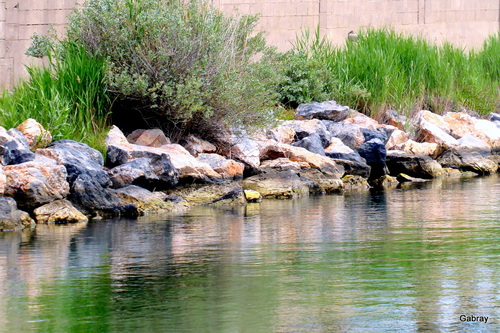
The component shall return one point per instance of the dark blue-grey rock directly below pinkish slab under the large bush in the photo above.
(156, 172)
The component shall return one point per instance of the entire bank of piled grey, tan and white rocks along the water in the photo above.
(328, 148)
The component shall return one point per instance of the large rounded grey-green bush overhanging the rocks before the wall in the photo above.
(183, 64)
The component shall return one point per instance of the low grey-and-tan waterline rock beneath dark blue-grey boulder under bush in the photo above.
(147, 201)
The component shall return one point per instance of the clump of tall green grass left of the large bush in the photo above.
(68, 97)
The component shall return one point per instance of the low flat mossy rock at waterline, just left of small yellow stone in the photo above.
(224, 194)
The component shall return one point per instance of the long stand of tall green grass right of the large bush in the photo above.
(386, 69)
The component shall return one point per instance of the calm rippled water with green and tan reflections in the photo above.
(391, 261)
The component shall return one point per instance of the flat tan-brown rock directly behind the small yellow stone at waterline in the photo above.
(282, 184)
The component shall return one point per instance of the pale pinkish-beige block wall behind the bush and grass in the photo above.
(462, 22)
